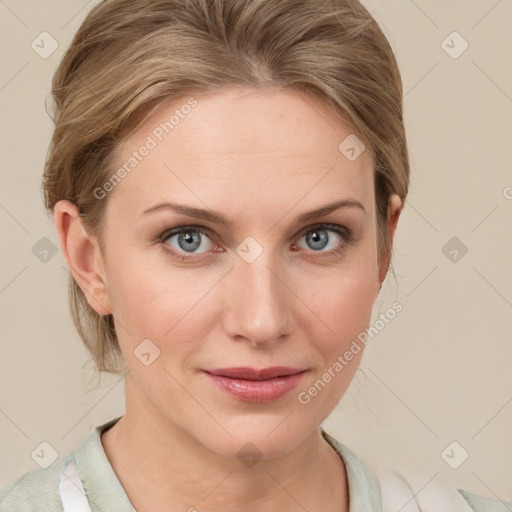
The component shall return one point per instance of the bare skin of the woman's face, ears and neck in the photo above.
(261, 158)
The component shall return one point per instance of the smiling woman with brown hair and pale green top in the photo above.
(226, 179)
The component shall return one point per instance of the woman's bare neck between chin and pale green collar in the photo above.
(161, 467)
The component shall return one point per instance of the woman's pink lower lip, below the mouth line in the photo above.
(258, 391)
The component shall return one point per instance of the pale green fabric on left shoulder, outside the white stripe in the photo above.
(34, 491)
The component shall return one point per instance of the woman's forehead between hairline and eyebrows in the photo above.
(269, 146)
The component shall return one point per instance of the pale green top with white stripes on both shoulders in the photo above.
(84, 481)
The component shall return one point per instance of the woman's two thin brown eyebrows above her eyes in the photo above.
(219, 218)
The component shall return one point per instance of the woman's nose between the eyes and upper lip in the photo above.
(258, 304)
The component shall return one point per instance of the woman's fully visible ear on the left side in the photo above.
(83, 256)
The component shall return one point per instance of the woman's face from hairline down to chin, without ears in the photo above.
(263, 289)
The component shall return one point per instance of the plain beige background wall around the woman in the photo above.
(439, 372)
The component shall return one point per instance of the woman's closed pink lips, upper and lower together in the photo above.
(257, 386)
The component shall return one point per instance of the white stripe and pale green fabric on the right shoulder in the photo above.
(427, 494)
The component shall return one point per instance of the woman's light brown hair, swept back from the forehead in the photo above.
(130, 56)
